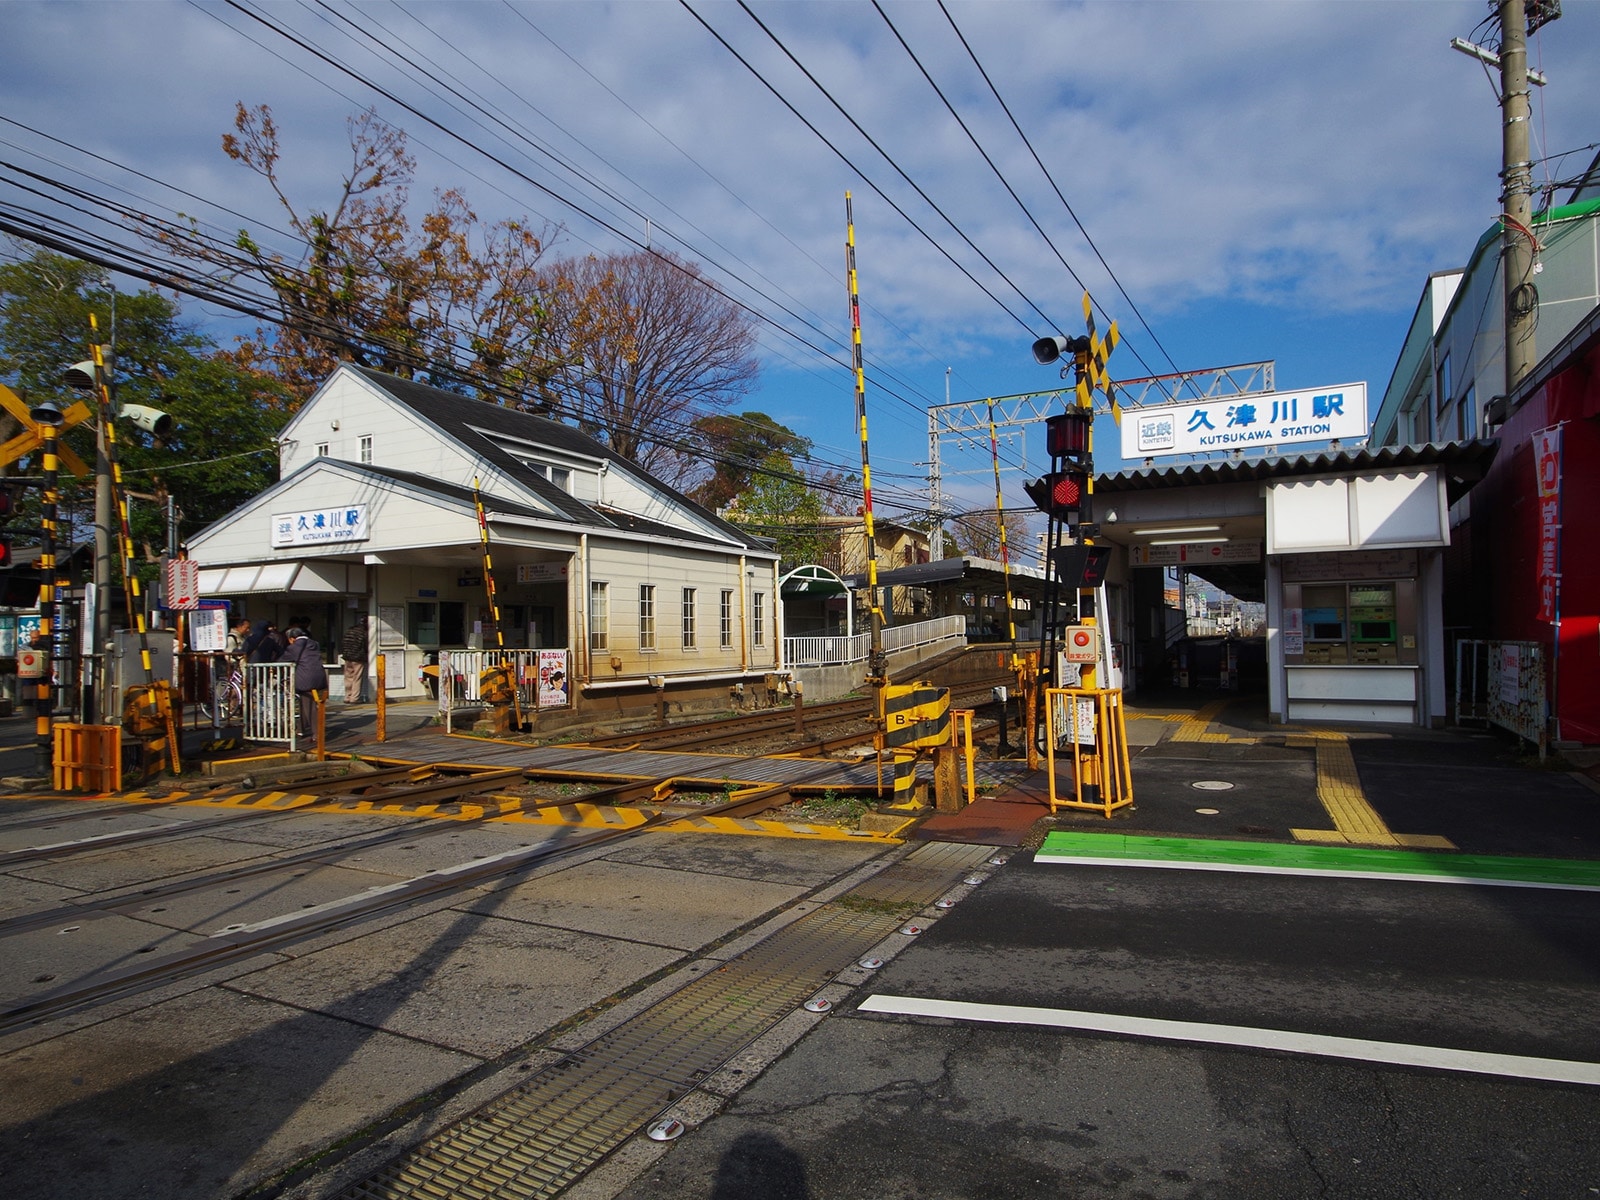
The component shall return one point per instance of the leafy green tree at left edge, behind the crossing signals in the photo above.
(222, 449)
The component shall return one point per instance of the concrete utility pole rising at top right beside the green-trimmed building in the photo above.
(1522, 297)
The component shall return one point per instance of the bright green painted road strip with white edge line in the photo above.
(1268, 857)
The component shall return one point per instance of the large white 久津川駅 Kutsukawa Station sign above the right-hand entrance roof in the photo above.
(1247, 422)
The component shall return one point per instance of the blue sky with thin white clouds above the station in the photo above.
(1231, 182)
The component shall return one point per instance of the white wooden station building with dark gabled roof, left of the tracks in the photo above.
(377, 518)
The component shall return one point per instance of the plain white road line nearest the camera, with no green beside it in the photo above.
(1362, 1050)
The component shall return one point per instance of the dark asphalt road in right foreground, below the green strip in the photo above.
(882, 1105)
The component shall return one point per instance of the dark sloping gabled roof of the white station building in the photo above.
(473, 423)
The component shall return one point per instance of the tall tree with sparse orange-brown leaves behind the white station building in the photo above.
(454, 302)
